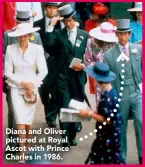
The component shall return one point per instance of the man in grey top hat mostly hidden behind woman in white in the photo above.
(22, 16)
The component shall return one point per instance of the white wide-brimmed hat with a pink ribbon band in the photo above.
(105, 32)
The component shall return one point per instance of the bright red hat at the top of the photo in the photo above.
(100, 9)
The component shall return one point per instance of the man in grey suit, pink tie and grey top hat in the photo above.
(125, 59)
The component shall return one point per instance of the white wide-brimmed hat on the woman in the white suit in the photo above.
(23, 29)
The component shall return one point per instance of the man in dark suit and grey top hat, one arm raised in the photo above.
(66, 44)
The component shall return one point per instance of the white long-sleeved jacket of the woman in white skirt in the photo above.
(20, 68)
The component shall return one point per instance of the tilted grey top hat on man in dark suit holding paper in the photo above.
(66, 11)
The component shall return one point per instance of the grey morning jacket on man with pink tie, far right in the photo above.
(135, 52)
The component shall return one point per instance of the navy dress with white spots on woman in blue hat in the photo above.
(106, 148)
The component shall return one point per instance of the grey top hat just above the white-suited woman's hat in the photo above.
(23, 16)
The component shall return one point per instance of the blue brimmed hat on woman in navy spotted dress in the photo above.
(101, 72)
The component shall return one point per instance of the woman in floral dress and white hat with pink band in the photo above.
(102, 38)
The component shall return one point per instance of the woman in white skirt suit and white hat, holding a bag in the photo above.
(21, 62)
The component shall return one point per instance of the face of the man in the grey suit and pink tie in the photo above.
(123, 37)
